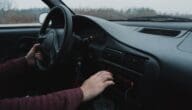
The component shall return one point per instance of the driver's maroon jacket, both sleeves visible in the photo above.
(63, 100)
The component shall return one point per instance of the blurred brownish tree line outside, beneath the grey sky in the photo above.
(15, 16)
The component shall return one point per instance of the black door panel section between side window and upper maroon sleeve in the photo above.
(15, 42)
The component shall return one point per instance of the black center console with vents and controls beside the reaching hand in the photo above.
(135, 74)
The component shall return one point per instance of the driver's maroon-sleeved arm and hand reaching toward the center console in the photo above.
(64, 100)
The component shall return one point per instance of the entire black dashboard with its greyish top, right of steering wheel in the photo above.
(151, 63)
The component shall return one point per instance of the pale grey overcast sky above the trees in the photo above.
(169, 6)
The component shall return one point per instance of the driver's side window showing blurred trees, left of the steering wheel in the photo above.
(21, 11)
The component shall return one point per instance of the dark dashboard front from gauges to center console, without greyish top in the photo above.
(132, 69)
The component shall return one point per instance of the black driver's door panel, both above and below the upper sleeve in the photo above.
(16, 42)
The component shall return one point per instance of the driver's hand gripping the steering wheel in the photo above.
(33, 54)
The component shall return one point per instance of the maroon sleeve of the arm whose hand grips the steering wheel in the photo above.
(14, 66)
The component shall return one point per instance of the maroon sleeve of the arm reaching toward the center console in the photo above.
(63, 100)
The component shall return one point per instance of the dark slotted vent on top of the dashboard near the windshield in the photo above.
(163, 32)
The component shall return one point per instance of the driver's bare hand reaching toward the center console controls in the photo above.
(96, 84)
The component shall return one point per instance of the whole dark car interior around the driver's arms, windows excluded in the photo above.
(150, 61)
